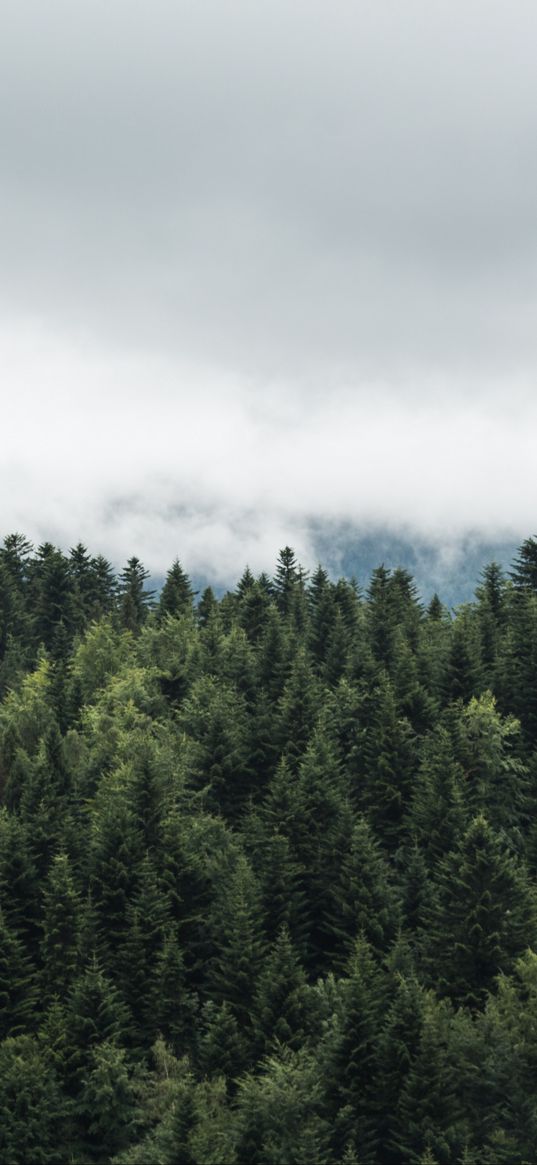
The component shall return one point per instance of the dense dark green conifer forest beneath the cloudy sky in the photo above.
(268, 867)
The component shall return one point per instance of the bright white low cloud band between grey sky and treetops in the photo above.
(157, 458)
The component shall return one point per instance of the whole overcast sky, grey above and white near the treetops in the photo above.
(264, 264)
